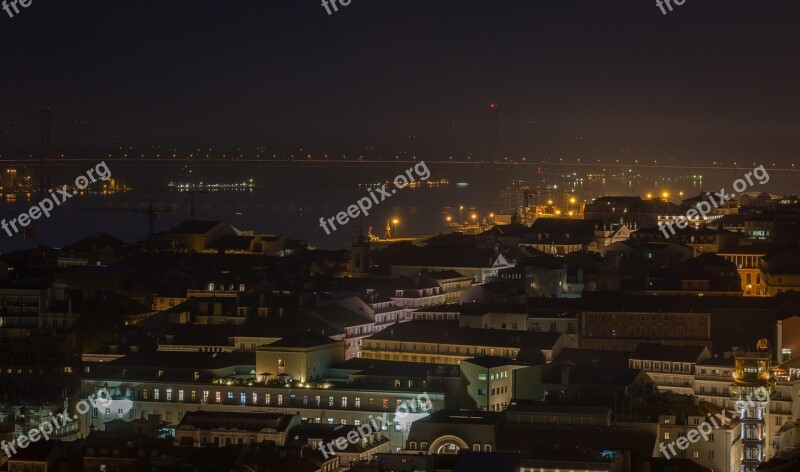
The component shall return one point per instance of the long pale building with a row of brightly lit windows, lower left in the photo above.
(172, 384)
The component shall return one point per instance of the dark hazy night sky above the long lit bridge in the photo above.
(714, 79)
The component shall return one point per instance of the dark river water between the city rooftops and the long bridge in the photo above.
(291, 201)
